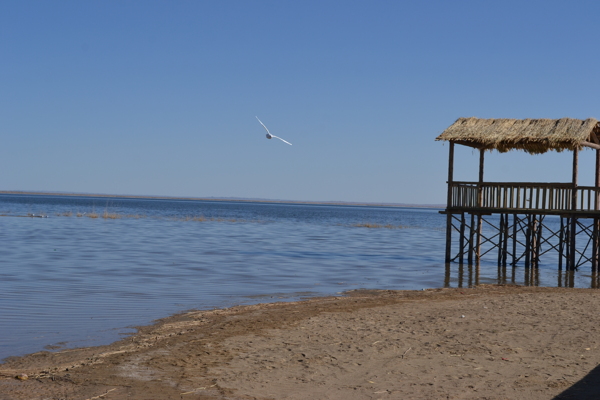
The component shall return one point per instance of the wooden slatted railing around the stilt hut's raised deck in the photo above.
(524, 196)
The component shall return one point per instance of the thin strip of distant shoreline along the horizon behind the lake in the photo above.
(231, 199)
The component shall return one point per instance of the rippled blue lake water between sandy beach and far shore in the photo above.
(95, 267)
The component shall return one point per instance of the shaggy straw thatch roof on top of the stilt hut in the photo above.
(531, 135)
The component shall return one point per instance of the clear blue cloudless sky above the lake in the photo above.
(160, 97)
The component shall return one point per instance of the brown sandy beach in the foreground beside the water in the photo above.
(488, 342)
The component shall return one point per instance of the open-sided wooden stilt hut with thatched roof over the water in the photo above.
(515, 214)
